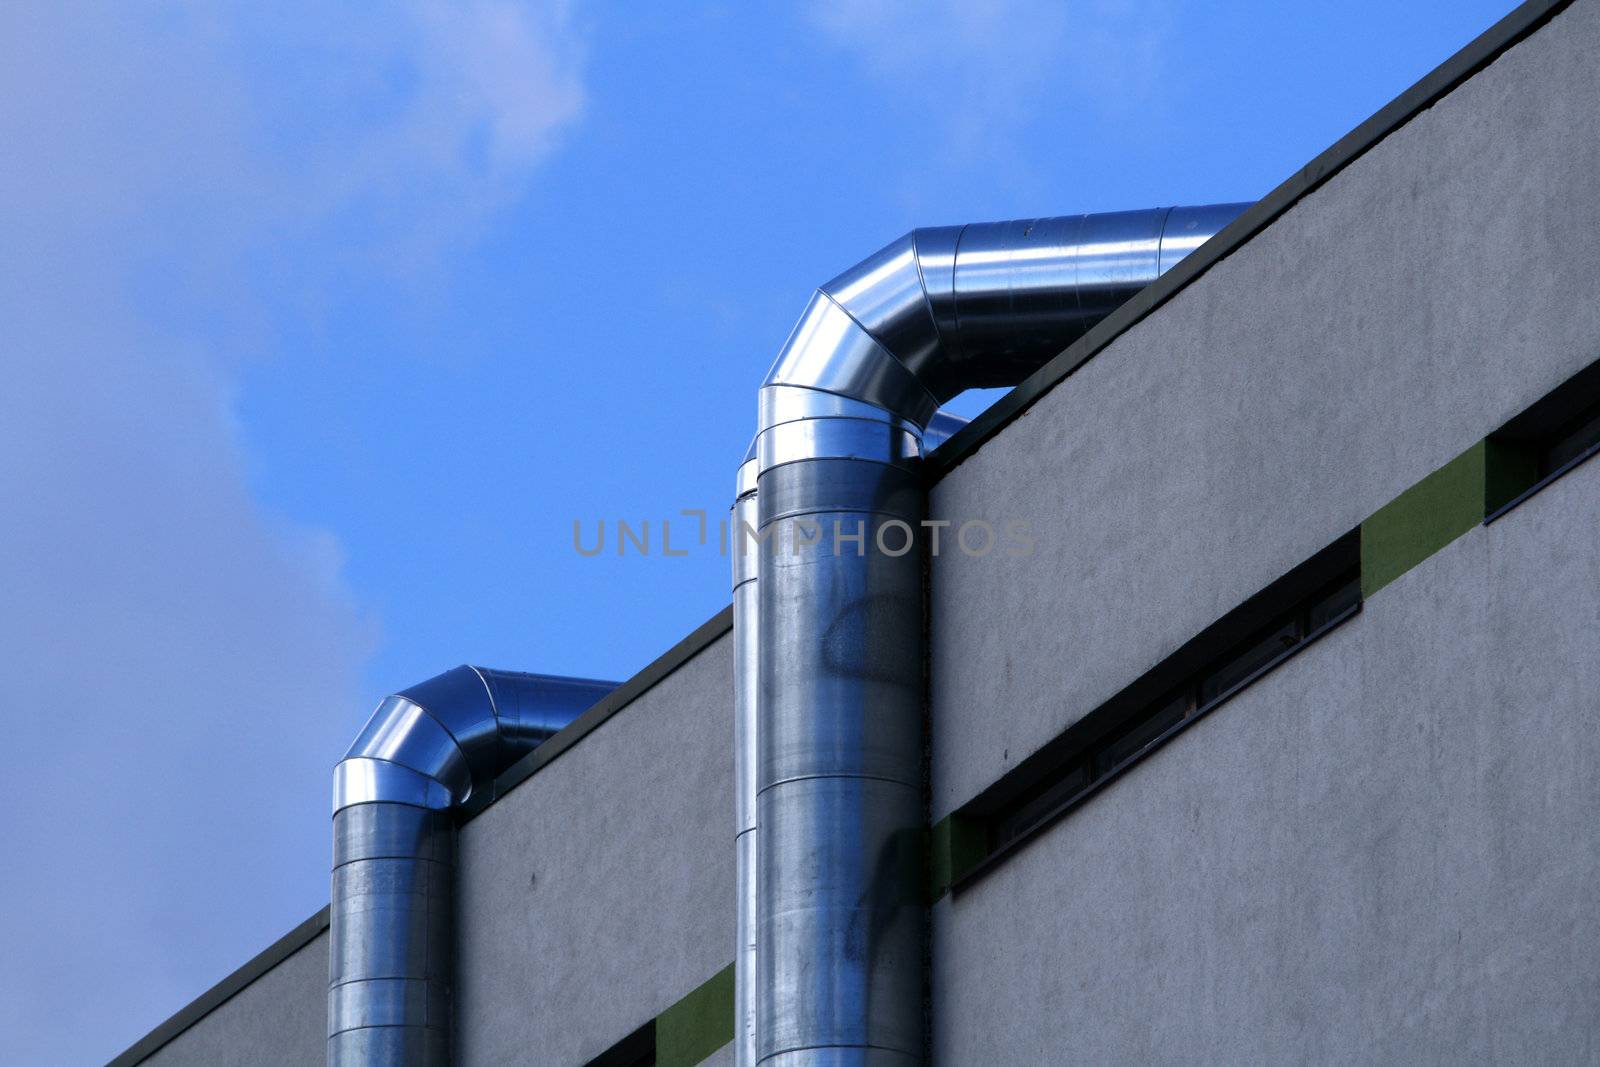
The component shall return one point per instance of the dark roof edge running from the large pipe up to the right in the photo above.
(1484, 50)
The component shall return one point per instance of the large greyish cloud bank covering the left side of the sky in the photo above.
(182, 665)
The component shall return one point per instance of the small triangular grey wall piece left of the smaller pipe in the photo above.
(281, 1018)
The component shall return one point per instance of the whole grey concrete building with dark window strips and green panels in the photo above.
(1276, 748)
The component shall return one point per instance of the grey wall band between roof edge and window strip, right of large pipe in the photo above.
(1426, 294)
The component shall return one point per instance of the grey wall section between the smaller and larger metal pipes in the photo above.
(601, 890)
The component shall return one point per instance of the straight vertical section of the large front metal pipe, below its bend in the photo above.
(841, 796)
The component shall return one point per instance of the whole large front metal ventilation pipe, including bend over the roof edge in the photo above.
(839, 628)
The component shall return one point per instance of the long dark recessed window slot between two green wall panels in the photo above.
(1199, 677)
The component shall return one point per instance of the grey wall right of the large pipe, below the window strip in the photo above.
(1383, 852)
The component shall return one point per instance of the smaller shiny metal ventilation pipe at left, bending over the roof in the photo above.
(394, 850)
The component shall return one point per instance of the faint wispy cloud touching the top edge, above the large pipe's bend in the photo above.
(982, 73)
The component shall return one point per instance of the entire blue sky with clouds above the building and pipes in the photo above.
(324, 326)
